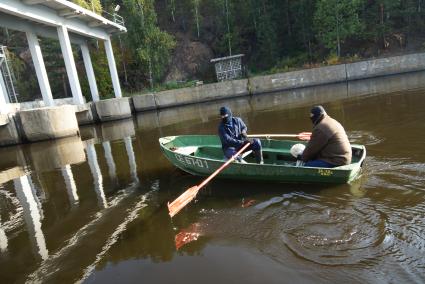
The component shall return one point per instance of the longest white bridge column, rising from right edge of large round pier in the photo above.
(71, 69)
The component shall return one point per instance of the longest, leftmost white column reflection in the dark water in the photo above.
(32, 215)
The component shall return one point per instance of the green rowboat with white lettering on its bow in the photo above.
(202, 155)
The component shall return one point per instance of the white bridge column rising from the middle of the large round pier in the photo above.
(40, 69)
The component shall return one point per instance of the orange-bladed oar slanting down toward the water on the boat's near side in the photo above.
(187, 196)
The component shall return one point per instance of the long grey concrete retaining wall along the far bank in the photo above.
(343, 73)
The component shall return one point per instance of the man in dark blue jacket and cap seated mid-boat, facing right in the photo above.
(233, 135)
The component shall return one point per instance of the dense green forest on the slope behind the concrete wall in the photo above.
(169, 43)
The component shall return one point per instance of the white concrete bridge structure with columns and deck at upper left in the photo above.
(69, 24)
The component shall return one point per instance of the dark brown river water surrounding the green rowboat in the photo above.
(93, 209)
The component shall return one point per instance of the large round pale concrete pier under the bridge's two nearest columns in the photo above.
(49, 123)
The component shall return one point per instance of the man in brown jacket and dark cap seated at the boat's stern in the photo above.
(329, 146)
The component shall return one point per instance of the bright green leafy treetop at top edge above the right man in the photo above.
(337, 20)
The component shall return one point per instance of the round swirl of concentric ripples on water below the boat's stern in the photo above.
(334, 236)
